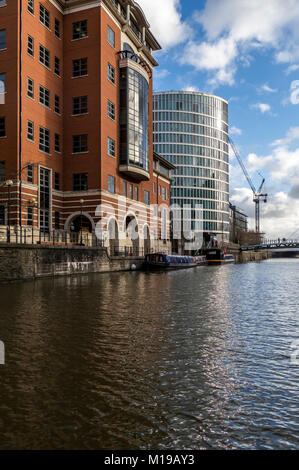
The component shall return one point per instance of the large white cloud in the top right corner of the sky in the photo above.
(233, 28)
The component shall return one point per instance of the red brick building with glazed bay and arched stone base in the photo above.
(76, 117)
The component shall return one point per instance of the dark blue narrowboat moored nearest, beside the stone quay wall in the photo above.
(163, 261)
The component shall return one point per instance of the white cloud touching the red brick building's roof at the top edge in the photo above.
(166, 21)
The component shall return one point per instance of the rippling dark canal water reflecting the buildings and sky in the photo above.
(194, 359)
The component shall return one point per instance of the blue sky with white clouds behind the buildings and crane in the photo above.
(247, 52)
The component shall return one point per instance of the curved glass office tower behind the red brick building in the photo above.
(191, 132)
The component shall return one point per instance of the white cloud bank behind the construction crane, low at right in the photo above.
(280, 216)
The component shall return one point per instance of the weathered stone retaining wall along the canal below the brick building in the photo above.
(31, 262)
